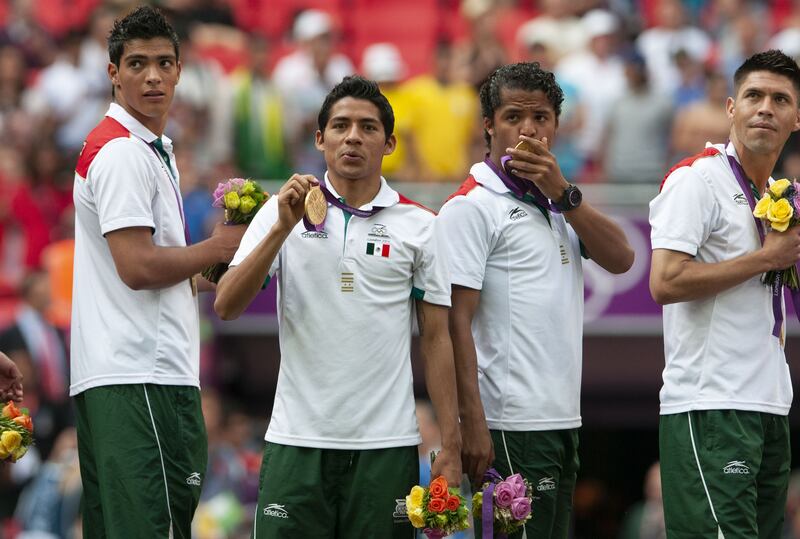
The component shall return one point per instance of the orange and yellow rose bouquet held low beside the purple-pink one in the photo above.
(438, 509)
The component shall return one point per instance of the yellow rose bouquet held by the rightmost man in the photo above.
(779, 208)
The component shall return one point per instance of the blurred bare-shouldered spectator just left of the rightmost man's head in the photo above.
(702, 121)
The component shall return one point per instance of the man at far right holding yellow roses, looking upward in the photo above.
(724, 431)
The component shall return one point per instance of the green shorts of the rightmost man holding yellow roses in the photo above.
(724, 471)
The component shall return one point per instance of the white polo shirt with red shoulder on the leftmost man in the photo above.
(120, 335)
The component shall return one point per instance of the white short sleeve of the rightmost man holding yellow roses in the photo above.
(681, 216)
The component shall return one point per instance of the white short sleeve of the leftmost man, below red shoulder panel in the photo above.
(123, 186)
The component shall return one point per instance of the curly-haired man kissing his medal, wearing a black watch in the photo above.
(517, 317)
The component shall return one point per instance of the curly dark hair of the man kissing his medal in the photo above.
(527, 76)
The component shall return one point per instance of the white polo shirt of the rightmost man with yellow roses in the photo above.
(720, 352)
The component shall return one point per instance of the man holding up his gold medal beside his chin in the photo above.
(341, 444)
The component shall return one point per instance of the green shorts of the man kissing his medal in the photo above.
(549, 460)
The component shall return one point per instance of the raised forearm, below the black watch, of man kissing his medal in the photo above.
(604, 240)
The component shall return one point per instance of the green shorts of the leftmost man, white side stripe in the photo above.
(143, 454)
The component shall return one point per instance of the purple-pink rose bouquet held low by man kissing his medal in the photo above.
(503, 505)
